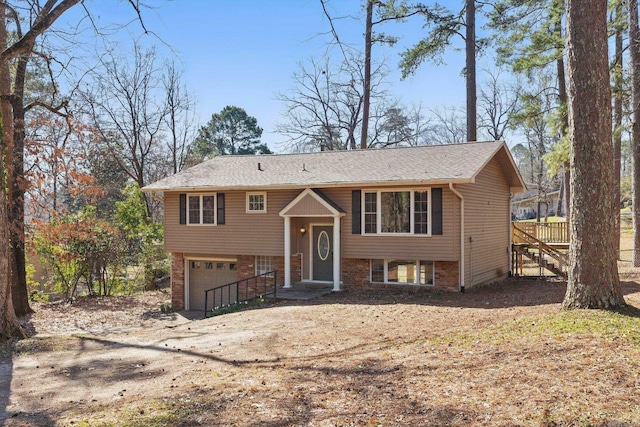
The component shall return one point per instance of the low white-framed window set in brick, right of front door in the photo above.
(413, 272)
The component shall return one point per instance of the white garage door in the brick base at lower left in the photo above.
(207, 274)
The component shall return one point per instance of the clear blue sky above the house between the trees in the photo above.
(244, 52)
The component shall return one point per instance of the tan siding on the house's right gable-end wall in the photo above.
(487, 220)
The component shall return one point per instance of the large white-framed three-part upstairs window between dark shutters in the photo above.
(403, 211)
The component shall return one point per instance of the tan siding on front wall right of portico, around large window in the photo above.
(443, 247)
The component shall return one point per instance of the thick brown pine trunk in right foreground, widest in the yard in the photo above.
(593, 271)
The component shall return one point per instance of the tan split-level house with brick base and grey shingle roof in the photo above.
(429, 216)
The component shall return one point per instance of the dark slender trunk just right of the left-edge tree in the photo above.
(19, 291)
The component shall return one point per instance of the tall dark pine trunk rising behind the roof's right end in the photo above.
(470, 48)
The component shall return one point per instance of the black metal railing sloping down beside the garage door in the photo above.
(240, 292)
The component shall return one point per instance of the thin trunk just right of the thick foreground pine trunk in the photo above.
(617, 125)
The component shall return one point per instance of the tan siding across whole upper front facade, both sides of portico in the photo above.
(263, 234)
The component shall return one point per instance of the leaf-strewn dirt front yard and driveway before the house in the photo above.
(365, 358)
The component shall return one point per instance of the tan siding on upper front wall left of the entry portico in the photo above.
(242, 233)
